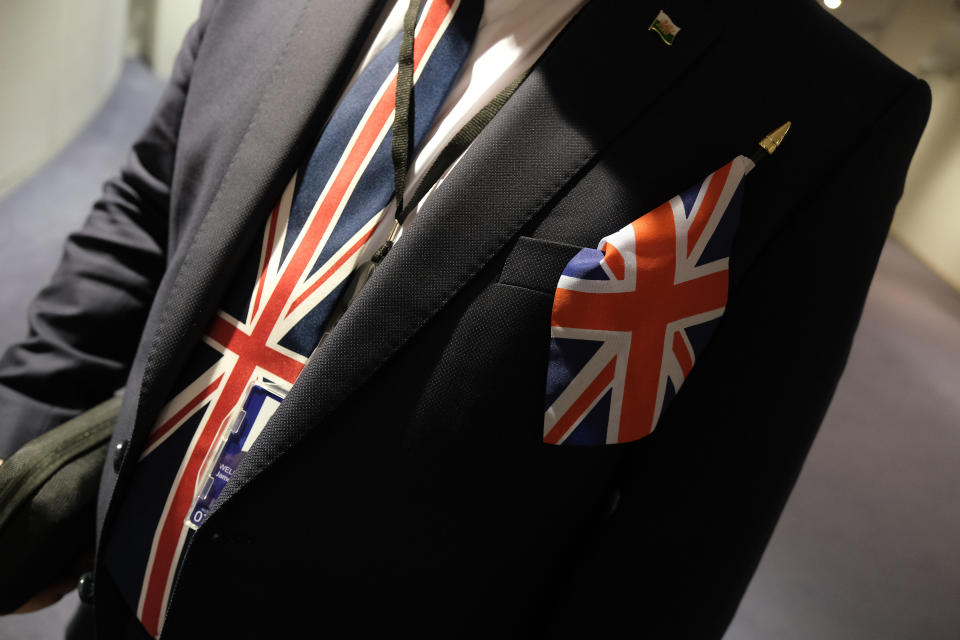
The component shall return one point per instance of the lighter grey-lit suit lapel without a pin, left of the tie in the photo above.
(306, 80)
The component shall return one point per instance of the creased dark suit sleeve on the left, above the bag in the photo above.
(85, 324)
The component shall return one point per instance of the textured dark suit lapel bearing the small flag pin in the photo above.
(596, 79)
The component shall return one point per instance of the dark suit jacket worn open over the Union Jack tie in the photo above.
(403, 483)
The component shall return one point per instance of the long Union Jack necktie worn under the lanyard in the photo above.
(270, 320)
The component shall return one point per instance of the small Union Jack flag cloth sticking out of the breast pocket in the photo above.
(631, 317)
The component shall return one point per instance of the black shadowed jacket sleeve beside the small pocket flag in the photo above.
(699, 498)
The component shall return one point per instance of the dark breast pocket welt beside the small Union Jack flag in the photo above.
(536, 264)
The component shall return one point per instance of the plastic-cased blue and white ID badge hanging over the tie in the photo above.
(237, 433)
